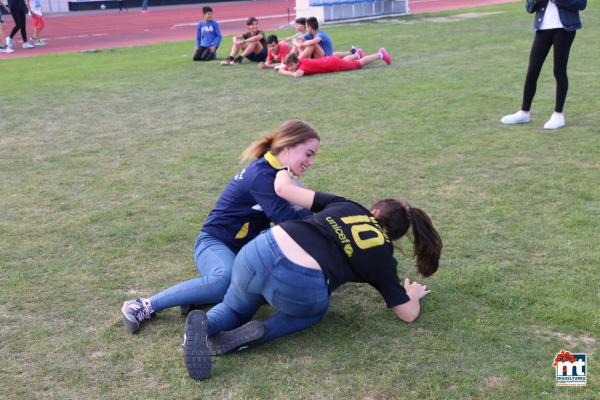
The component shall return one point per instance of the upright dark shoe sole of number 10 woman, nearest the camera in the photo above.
(195, 349)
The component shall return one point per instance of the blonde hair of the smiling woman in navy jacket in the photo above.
(290, 134)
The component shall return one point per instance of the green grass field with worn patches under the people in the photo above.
(110, 161)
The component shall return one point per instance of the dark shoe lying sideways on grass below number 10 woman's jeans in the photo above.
(236, 339)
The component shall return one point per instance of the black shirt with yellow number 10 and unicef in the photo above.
(350, 246)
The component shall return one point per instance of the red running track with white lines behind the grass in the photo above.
(80, 31)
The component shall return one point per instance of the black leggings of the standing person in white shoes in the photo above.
(561, 40)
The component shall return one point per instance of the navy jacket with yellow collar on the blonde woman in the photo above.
(249, 204)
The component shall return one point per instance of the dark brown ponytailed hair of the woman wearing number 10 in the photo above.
(397, 216)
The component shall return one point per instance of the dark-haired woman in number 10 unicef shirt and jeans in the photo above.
(295, 265)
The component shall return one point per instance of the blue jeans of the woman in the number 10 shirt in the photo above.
(261, 272)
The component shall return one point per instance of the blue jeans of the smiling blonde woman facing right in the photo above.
(214, 261)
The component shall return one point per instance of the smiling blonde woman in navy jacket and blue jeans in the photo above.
(246, 207)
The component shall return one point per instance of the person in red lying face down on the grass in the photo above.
(297, 68)
